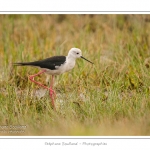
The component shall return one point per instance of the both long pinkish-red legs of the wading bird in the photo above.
(31, 77)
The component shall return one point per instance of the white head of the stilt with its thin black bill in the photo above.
(76, 53)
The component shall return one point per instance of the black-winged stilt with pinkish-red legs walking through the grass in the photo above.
(54, 66)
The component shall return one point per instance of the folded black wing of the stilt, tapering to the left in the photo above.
(49, 63)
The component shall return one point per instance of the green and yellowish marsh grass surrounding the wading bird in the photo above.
(111, 97)
